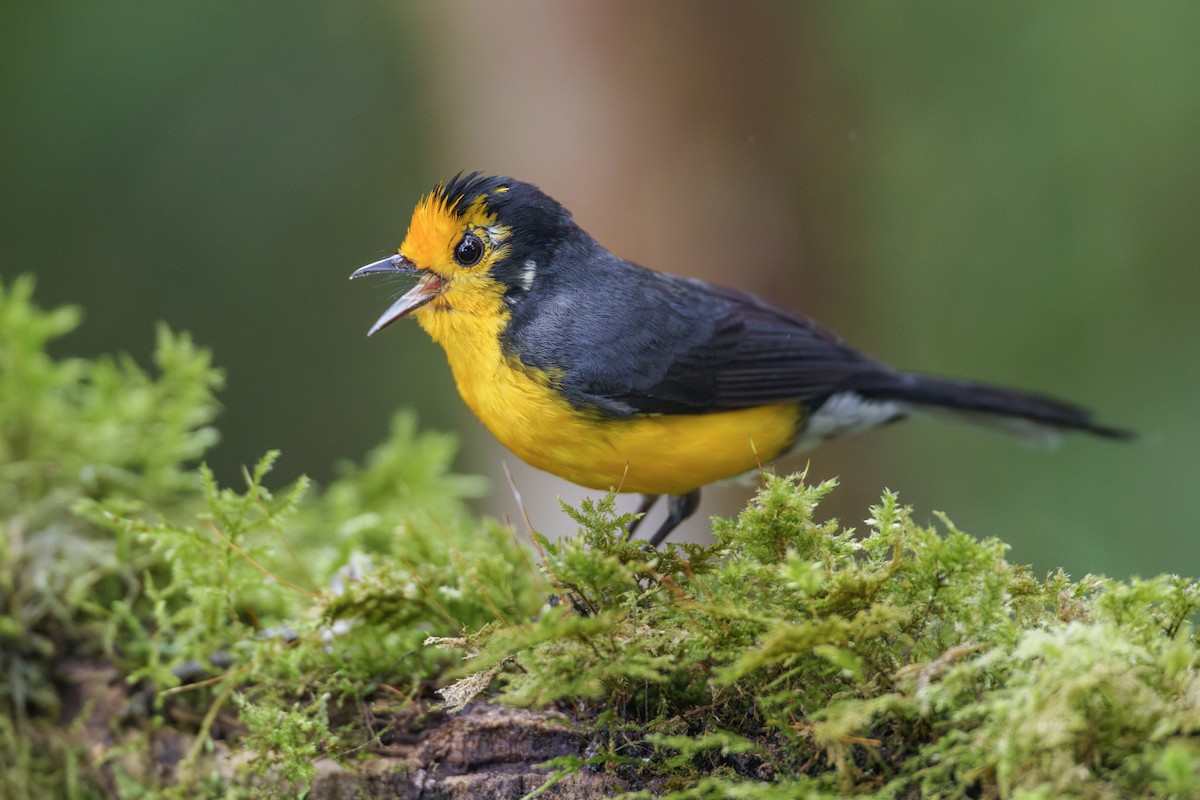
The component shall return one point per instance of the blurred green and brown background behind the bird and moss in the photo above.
(1007, 193)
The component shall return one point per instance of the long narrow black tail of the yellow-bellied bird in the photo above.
(1017, 412)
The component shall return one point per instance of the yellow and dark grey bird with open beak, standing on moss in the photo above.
(621, 378)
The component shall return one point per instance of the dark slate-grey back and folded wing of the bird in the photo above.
(641, 342)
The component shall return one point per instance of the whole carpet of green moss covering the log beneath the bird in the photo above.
(152, 618)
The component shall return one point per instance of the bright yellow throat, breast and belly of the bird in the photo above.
(651, 455)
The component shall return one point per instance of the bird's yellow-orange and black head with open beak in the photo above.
(476, 246)
